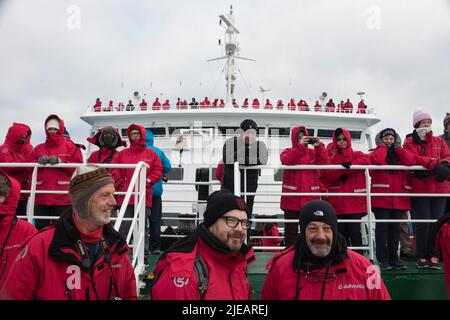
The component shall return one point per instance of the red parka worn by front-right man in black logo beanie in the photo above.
(355, 279)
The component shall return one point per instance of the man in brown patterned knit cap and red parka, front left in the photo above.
(81, 256)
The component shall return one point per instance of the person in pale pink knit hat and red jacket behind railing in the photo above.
(432, 153)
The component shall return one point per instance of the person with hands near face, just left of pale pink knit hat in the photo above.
(387, 235)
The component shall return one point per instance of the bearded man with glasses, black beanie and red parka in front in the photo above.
(211, 262)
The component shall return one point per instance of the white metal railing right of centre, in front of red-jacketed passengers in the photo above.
(368, 194)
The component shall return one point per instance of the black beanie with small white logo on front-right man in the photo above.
(318, 210)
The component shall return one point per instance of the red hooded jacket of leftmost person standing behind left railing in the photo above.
(13, 150)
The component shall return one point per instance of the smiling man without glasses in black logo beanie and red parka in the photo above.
(318, 266)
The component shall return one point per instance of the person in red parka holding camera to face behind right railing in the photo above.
(297, 181)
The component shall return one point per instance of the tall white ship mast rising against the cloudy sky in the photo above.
(231, 54)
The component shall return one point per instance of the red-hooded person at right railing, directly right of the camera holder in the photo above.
(347, 181)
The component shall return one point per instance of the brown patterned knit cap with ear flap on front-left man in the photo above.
(85, 182)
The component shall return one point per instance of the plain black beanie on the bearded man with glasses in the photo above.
(219, 203)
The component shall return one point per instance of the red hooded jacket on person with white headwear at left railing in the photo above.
(55, 179)
